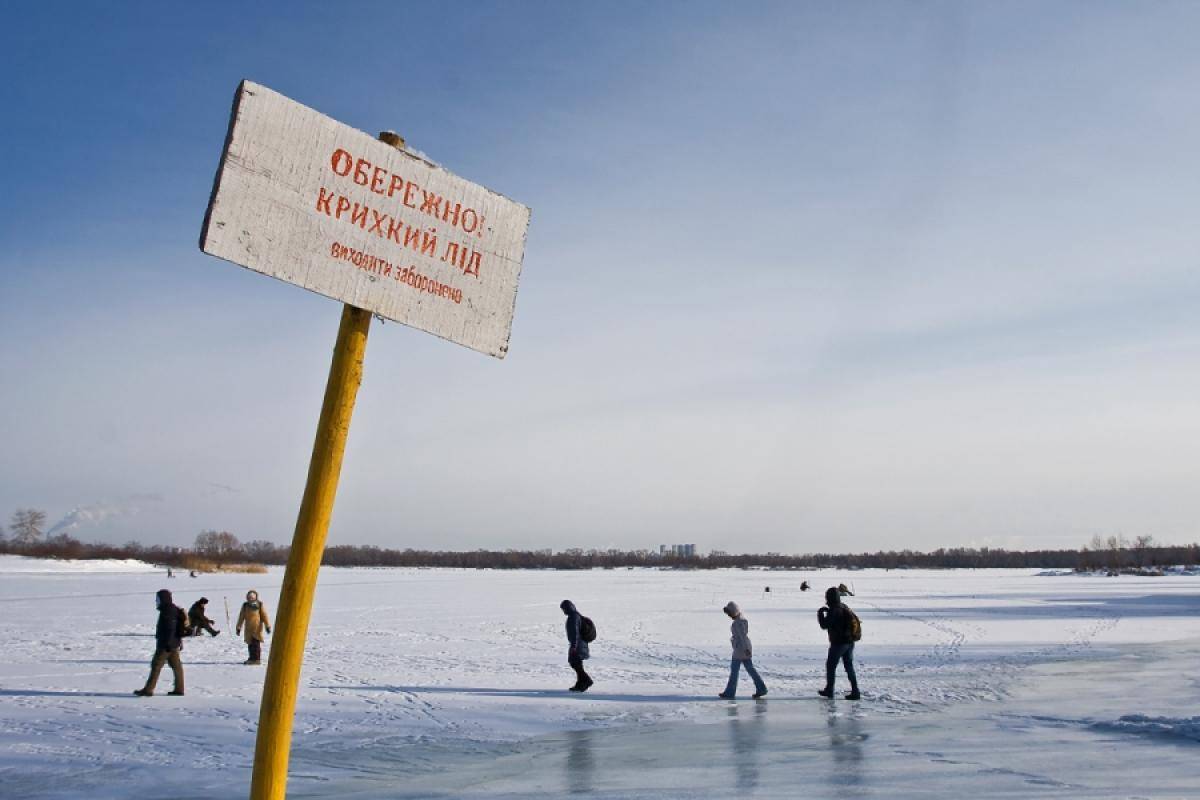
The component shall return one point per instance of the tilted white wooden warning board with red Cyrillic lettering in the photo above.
(316, 203)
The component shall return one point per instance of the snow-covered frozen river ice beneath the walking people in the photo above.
(440, 683)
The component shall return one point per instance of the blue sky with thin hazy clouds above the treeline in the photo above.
(800, 278)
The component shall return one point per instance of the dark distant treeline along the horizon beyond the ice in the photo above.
(219, 549)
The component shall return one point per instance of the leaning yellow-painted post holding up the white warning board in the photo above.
(278, 707)
